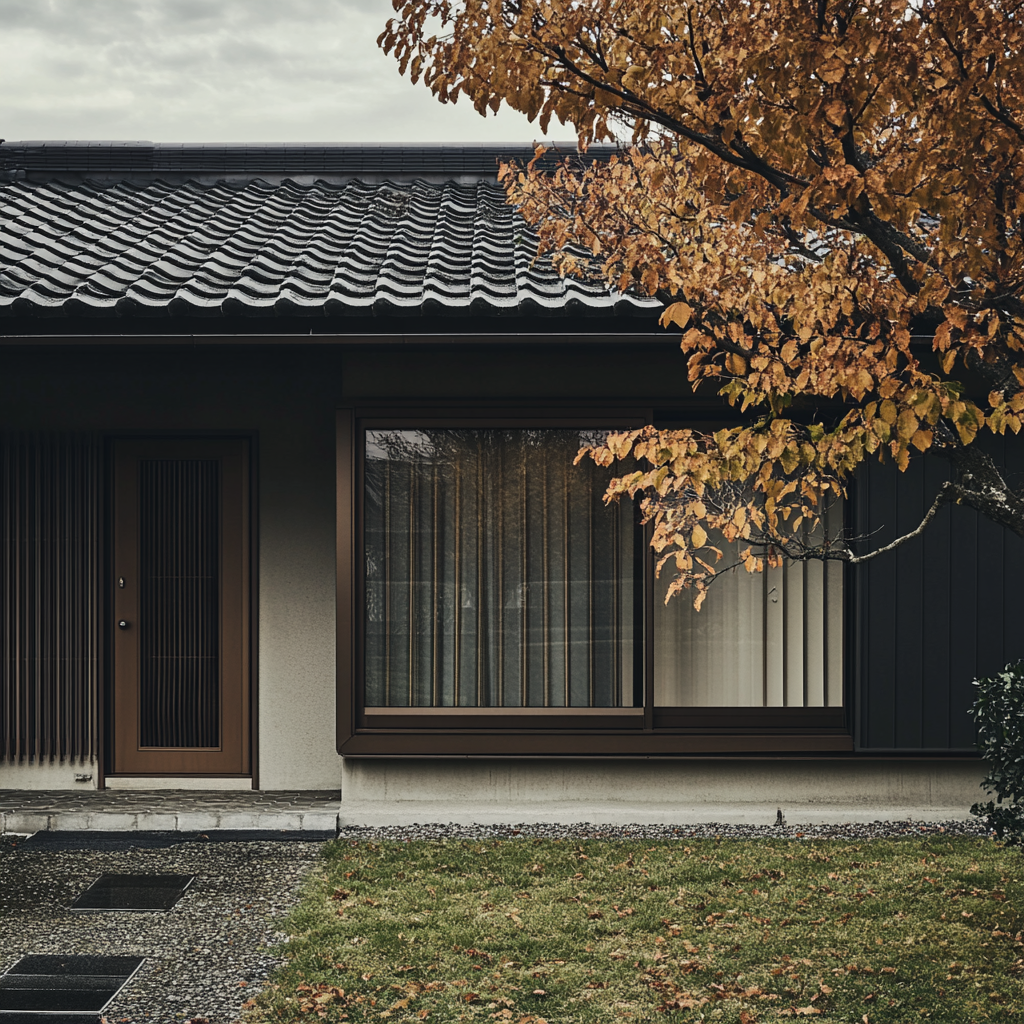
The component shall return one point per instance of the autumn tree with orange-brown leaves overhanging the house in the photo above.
(829, 198)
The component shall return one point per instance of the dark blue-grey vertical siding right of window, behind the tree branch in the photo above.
(934, 615)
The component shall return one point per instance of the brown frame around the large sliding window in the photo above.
(542, 733)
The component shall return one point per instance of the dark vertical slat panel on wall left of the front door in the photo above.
(50, 531)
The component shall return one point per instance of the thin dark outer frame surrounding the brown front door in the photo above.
(106, 594)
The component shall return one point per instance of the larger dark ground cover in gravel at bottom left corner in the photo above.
(64, 986)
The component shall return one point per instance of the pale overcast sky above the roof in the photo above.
(220, 71)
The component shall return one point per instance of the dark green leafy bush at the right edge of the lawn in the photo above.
(999, 713)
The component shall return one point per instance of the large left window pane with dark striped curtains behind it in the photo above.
(496, 575)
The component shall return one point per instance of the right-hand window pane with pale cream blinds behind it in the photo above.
(761, 641)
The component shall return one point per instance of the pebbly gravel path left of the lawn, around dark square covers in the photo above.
(204, 958)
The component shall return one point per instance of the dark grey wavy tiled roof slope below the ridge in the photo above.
(249, 247)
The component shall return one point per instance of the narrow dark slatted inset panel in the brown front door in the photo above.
(180, 628)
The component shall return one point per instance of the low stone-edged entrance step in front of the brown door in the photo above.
(167, 810)
